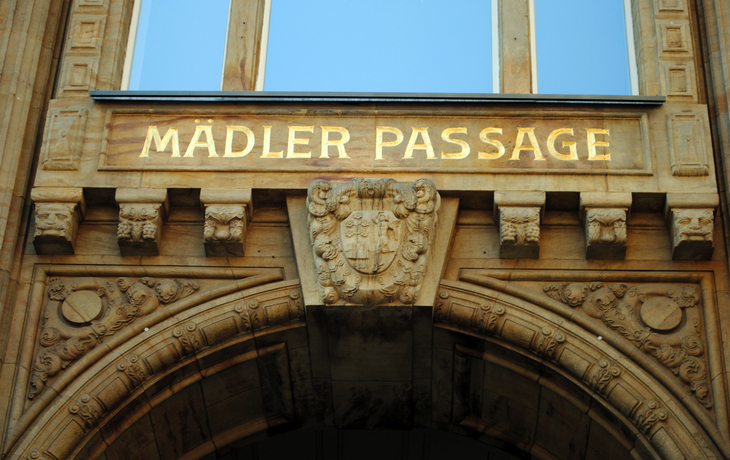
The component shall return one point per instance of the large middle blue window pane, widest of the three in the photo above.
(380, 46)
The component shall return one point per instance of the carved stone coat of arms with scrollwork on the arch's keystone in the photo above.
(371, 239)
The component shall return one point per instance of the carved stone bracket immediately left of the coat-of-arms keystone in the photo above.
(227, 214)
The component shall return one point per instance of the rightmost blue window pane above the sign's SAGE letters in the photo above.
(581, 47)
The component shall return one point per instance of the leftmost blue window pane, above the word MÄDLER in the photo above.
(179, 45)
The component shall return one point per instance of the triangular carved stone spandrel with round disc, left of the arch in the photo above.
(80, 313)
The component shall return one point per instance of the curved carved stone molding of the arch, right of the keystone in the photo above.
(616, 381)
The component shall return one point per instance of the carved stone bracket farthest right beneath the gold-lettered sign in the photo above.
(691, 223)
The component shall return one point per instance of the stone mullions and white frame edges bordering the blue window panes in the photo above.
(244, 62)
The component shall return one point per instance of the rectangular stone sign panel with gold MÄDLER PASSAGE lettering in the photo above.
(600, 144)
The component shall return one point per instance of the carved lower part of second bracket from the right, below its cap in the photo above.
(605, 233)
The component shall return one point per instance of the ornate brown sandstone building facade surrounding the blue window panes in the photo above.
(246, 274)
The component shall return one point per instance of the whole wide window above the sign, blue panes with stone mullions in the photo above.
(416, 46)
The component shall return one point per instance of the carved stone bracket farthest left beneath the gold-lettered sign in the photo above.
(58, 213)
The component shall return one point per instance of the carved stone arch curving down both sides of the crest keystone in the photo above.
(257, 330)
